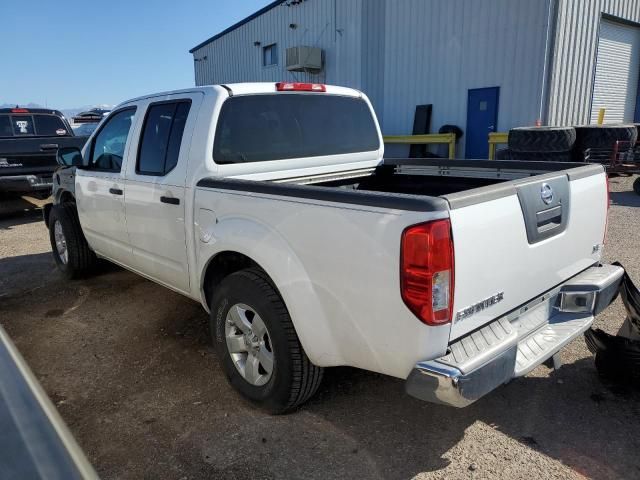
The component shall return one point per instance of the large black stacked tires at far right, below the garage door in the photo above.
(595, 143)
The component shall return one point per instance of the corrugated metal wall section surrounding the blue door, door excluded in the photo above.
(436, 50)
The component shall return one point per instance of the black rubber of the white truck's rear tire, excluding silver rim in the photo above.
(294, 378)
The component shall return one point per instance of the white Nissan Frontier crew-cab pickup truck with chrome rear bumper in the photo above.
(272, 205)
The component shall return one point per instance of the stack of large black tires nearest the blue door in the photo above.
(545, 144)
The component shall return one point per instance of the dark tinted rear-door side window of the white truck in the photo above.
(161, 138)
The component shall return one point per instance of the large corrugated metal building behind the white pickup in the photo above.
(482, 64)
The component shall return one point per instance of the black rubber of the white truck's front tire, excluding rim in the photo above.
(80, 260)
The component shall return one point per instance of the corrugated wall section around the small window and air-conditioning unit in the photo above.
(333, 25)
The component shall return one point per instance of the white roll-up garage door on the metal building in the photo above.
(617, 72)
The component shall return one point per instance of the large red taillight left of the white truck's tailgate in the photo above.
(426, 271)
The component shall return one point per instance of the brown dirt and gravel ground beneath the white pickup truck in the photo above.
(130, 368)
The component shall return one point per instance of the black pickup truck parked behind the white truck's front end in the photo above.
(29, 140)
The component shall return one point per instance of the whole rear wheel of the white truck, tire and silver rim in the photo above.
(257, 344)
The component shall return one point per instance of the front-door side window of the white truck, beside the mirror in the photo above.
(108, 146)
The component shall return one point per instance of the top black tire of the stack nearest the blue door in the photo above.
(541, 139)
